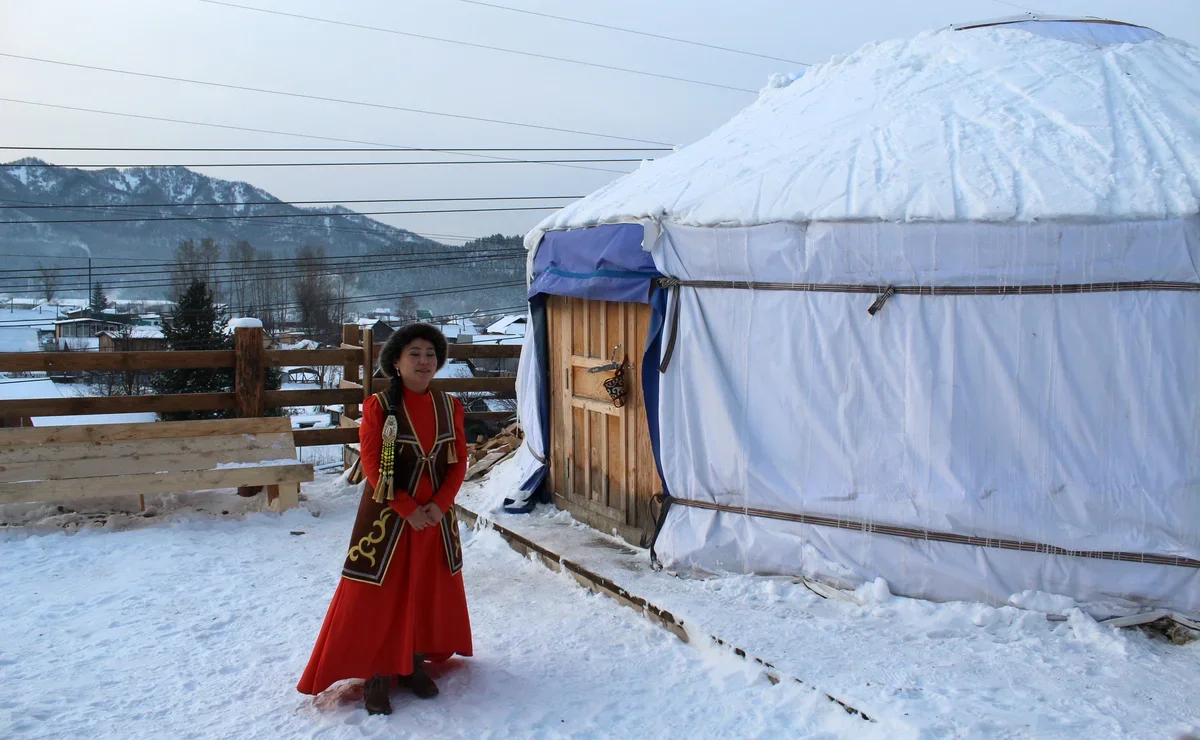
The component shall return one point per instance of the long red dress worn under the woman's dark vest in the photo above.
(419, 609)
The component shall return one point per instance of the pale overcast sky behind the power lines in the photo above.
(199, 40)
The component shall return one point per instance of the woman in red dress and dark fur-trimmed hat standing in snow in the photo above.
(401, 601)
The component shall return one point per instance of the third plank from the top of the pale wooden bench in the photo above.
(125, 462)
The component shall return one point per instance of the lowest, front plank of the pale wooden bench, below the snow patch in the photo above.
(154, 483)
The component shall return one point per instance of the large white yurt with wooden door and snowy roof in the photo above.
(927, 314)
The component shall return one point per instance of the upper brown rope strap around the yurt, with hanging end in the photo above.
(887, 292)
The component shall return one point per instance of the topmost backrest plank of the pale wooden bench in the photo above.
(15, 438)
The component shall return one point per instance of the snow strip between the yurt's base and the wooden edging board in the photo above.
(947, 670)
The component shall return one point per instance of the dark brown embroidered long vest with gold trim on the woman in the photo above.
(403, 464)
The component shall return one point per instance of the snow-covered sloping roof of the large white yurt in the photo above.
(1034, 119)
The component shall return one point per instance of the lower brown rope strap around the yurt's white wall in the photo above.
(929, 536)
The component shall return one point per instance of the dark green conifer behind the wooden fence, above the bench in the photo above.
(196, 326)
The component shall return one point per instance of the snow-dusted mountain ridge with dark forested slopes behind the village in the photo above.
(145, 192)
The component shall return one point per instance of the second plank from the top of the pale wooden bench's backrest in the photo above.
(275, 446)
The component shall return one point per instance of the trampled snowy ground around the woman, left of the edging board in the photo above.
(195, 624)
